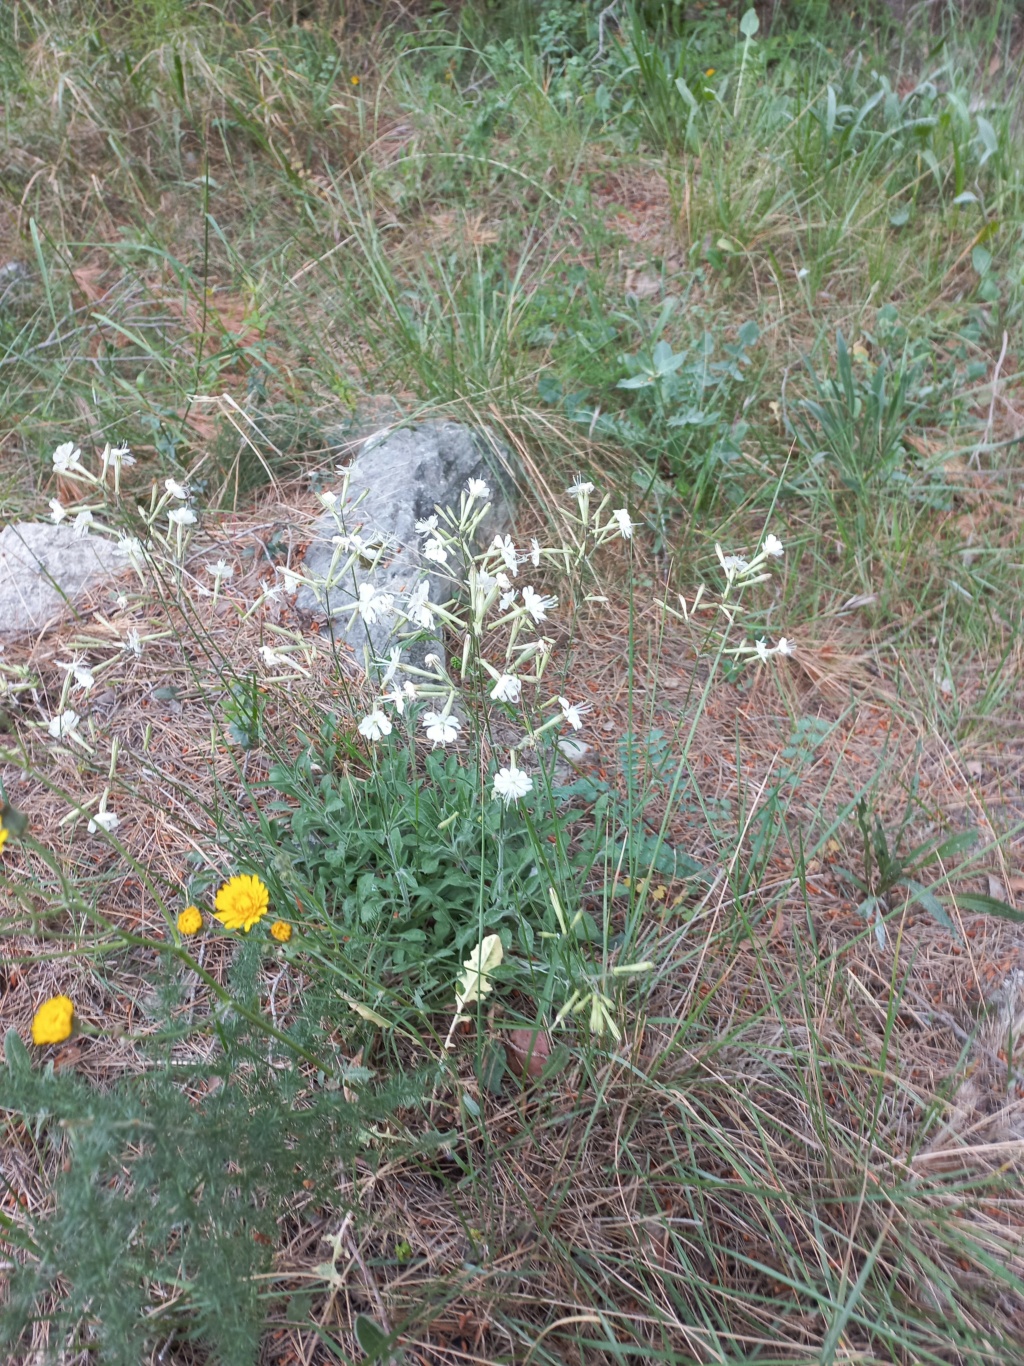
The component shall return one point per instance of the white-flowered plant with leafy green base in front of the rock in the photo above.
(465, 834)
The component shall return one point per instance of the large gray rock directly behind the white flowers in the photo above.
(398, 479)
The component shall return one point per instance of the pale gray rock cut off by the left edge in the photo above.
(44, 570)
